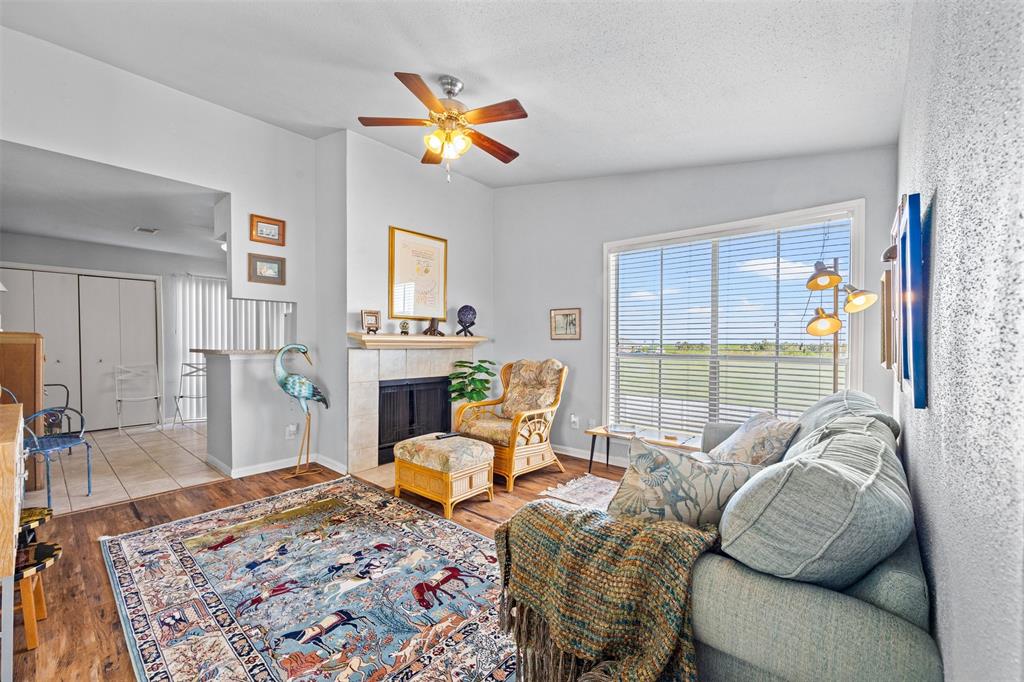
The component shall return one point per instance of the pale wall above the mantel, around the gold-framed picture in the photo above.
(390, 188)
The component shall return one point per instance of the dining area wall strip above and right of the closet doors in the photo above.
(31, 250)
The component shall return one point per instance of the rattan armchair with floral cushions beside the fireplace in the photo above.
(519, 424)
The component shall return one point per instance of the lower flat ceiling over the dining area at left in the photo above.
(53, 195)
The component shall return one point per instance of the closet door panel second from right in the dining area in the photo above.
(100, 317)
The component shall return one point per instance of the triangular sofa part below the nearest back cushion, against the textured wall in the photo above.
(898, 585)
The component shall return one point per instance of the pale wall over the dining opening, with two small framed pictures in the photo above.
(57, 100)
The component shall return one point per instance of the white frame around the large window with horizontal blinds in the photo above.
(856, 207)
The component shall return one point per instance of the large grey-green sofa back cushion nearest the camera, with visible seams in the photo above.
(826, 517)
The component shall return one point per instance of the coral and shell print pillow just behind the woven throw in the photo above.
(664, 484)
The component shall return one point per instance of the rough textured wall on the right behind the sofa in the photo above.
(962, 148)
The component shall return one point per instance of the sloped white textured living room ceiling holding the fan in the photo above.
(611, 88)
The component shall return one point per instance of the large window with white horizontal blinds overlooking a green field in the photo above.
(710, 325)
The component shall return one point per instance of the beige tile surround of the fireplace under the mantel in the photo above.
(366, 370)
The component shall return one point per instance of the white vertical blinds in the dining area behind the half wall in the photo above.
(208, 319)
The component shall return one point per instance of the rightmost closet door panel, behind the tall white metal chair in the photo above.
(139, 344)
